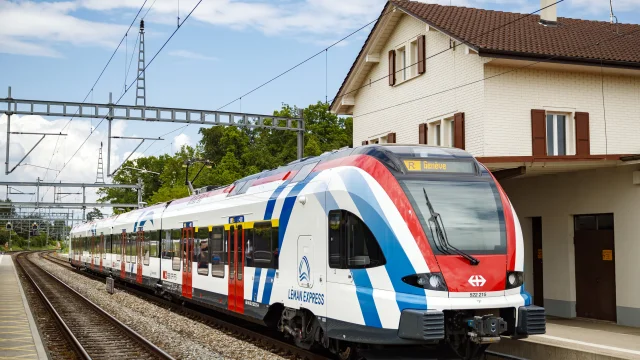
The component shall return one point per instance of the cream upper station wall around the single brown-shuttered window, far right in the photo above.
(510, 96)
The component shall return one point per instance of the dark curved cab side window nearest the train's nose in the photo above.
(351, 244)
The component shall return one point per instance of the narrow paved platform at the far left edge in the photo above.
(19, 337)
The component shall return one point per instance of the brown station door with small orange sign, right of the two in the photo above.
(595, 272)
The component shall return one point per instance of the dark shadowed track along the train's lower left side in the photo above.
(248, 331)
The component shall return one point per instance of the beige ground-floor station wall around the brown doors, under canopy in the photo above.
(557, 198)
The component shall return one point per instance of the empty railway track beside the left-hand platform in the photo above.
(93, 333)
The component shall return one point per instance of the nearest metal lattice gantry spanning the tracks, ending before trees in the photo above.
(111, 111)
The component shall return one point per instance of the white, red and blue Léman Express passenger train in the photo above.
(359, 248)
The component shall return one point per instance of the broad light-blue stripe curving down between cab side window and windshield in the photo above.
(407, 296)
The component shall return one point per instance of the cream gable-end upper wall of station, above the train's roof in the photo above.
(443, 71)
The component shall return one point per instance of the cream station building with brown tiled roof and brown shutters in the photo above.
(550, 105)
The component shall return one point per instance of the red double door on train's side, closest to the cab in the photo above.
(236, 268)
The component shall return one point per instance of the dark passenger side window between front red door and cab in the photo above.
(264, 247)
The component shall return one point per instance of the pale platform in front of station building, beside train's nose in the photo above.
(576, 339)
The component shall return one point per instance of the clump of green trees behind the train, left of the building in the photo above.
(235, 153)
